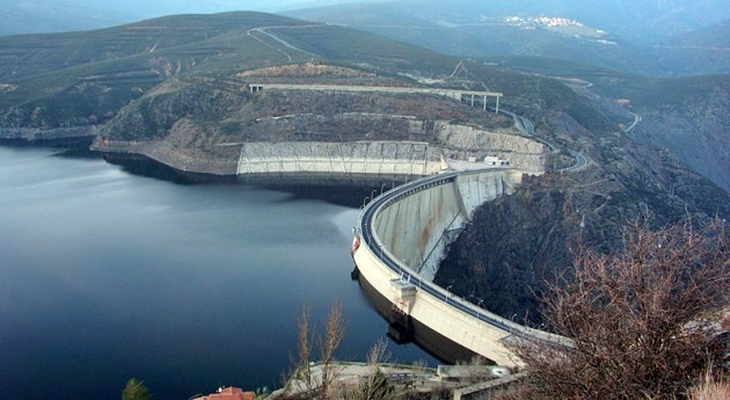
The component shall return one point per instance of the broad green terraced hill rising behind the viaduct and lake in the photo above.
(85, 78)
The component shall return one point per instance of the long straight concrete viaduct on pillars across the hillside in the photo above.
(460, 95)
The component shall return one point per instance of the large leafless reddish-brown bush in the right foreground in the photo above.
(636, 319)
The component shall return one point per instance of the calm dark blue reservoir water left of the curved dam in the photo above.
(106, 275)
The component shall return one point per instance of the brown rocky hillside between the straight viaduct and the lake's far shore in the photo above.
(206, 126)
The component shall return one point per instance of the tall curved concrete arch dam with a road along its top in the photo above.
(399, 240)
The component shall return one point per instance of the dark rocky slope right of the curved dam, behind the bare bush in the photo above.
(517, 242)
